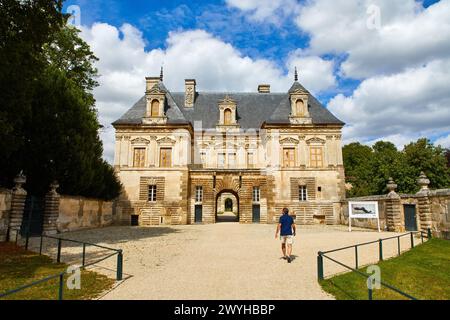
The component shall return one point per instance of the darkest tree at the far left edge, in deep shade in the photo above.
(25, 26)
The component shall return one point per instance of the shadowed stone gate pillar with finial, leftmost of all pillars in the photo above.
(19, 196)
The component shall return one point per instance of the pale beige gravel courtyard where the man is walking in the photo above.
(221, 261)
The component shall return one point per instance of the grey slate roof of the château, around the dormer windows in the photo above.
(253, 109)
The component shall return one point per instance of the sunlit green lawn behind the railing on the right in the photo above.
(423, 272)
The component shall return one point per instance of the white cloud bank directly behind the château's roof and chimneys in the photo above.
(217, 66)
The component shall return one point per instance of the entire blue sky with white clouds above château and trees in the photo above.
(381, 66)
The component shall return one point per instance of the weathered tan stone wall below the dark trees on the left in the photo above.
(77, 213)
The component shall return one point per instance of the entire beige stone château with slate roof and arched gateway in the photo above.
(268, 150)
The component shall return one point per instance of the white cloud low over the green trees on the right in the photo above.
(401, 107)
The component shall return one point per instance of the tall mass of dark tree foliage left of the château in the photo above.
(48, 121)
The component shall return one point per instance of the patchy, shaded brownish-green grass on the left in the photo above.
(19, 267)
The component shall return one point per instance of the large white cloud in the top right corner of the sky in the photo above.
(409, 35)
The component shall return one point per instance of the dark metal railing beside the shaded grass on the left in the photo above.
(84, 265)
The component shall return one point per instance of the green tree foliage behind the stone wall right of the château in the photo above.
(369, 168)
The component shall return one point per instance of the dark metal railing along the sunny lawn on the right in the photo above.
(321, 255)
